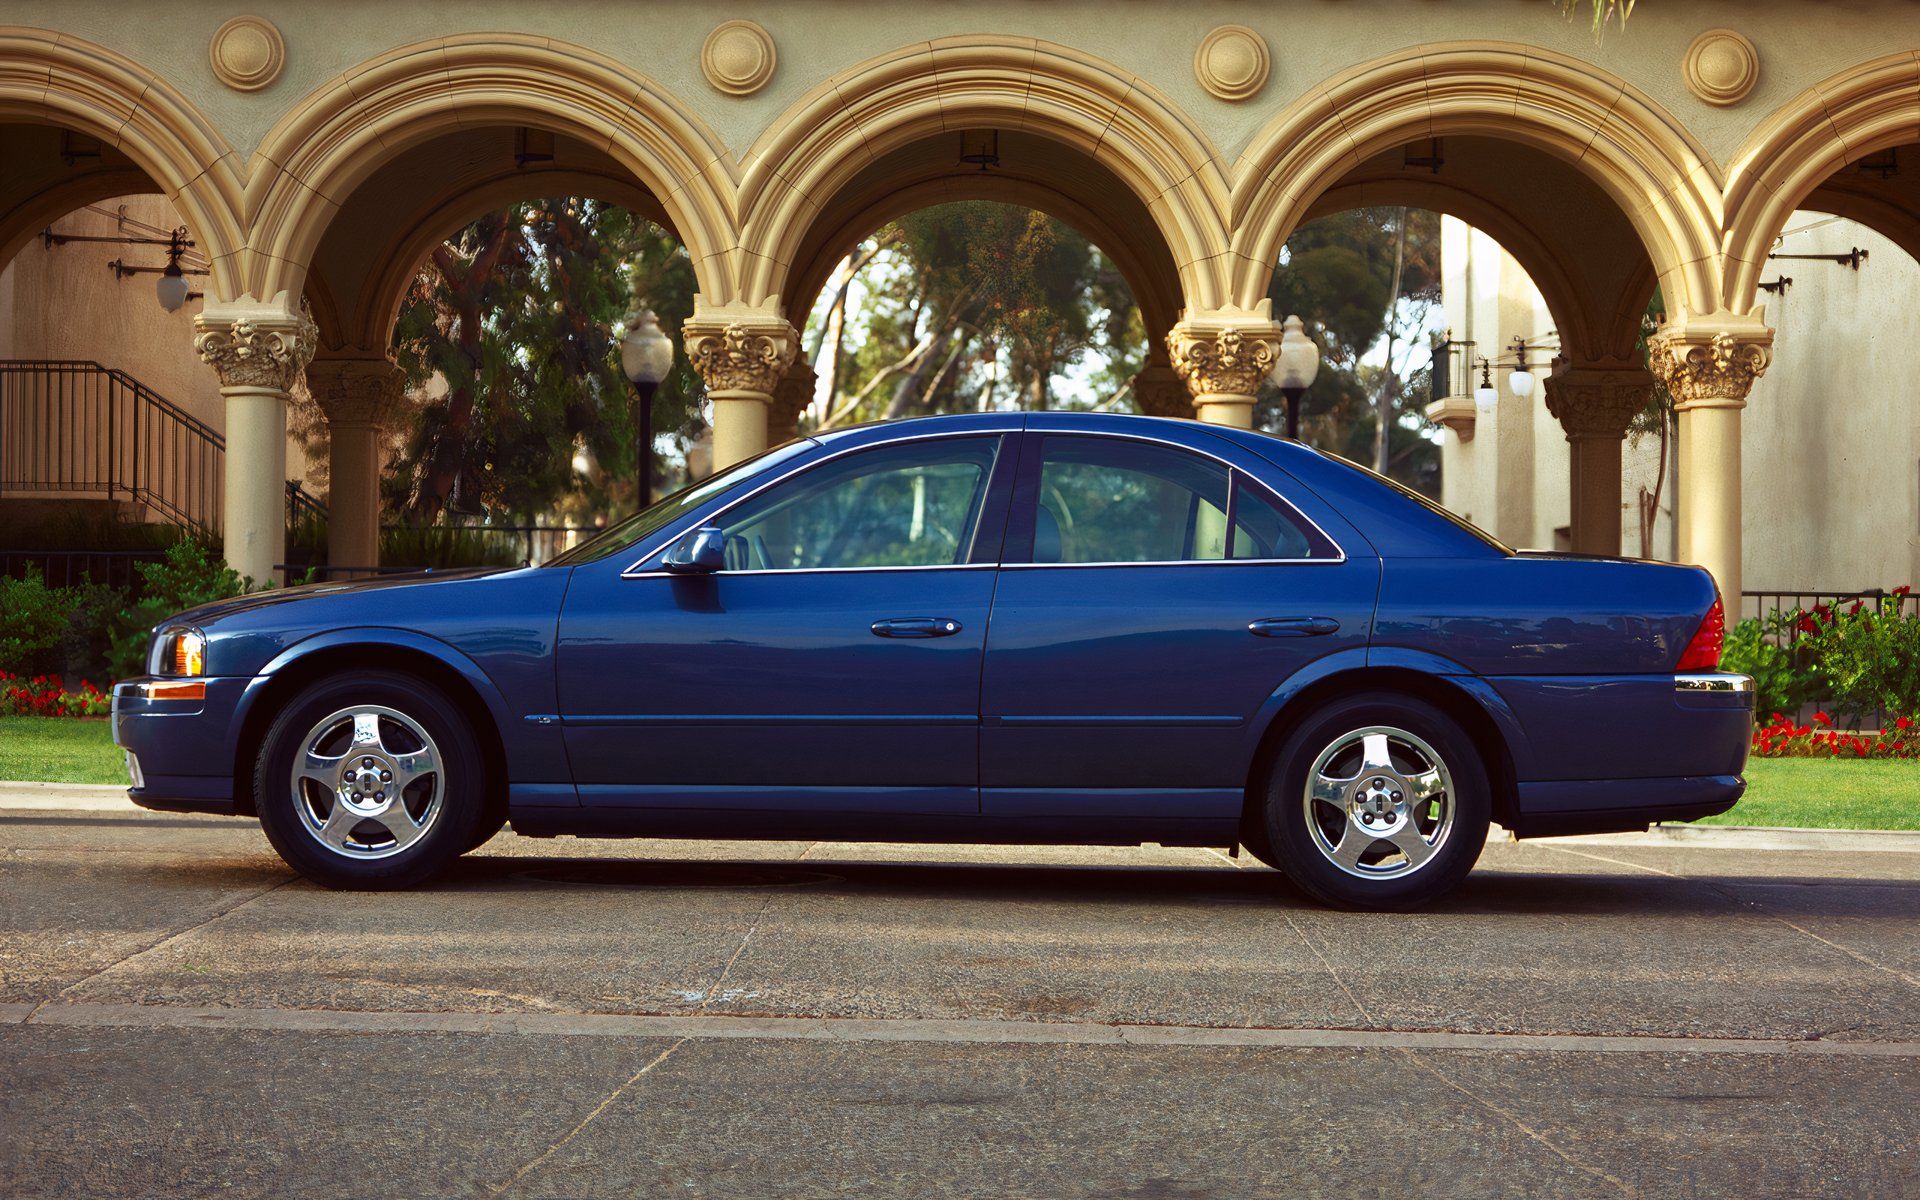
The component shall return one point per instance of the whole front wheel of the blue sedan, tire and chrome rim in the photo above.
(372, 780)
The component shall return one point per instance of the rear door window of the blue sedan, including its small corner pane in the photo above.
(1111, 500)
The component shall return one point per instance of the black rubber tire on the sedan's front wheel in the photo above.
(452, 828)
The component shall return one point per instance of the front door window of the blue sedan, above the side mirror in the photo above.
(898, 506)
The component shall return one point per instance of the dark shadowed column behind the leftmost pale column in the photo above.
(360, 398)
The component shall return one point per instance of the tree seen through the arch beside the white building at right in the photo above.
(1366, 281)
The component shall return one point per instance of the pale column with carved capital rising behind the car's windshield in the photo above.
(742, 354)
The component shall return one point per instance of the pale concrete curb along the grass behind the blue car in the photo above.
(112, 798)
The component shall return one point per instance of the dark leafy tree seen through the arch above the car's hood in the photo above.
(514, 327)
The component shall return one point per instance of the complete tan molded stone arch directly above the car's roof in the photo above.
(948, 85)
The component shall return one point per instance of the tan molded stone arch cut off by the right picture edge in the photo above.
(1838, 122)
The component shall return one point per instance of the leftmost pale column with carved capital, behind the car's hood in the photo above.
(258, 352)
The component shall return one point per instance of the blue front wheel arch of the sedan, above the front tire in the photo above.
(391, 650)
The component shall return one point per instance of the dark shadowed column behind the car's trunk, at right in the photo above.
(1595, 406)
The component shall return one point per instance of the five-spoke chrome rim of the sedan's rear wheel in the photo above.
(1380, 804)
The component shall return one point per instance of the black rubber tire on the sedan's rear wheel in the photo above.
(1370, 882)
